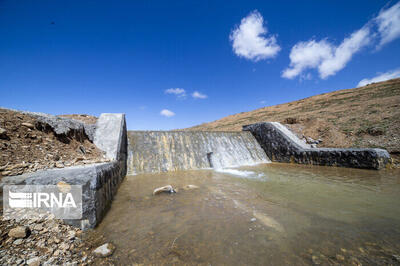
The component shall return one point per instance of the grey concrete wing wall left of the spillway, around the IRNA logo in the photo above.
(99, 181)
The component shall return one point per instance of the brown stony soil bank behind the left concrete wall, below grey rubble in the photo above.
(25, 148)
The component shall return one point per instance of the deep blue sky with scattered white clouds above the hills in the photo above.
(90, 57)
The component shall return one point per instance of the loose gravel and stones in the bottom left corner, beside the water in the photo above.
(47, 241)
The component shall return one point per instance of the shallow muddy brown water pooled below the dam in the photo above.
(268, 214)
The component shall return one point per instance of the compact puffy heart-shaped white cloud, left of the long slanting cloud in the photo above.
(249, 39)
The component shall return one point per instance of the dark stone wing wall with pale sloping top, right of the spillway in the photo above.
(281, 145)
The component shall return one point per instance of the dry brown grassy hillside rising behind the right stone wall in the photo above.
(367, 116)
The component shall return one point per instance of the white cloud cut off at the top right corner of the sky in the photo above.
(388, 22)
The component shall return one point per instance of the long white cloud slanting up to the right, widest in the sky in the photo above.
(325, 56)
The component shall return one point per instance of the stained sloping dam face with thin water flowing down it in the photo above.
(161, 151)
